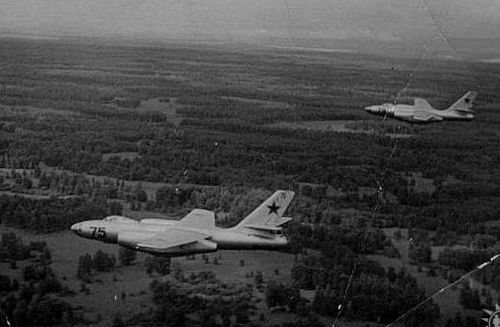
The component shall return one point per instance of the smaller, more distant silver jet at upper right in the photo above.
(423, 112)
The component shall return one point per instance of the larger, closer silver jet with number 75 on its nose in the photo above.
(196, 232)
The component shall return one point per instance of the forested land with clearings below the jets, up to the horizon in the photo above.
(386, 213)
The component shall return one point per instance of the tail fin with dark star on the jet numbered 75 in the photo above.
(270, 212)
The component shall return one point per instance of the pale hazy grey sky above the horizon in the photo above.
(247, 20)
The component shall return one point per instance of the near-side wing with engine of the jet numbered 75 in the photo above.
(171, 240)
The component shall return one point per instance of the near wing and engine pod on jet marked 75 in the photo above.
(175, 241)
